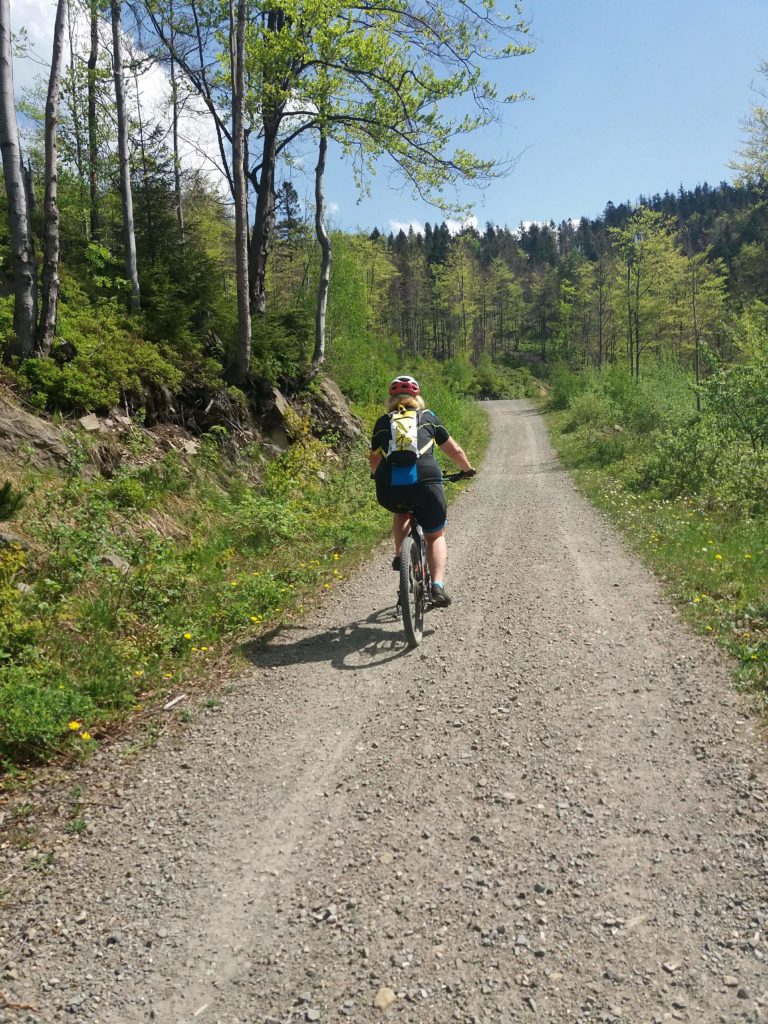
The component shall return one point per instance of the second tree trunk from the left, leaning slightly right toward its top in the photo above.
(50, 304)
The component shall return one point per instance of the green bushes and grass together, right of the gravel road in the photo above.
(691, 491)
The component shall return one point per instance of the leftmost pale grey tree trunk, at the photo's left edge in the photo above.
(23, 251)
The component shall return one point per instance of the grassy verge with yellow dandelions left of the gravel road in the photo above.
(134, 587)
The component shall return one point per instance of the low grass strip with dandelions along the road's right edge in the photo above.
(713, 561)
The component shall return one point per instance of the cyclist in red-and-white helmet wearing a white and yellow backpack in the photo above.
(417, 486)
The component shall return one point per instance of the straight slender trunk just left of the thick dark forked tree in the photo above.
(241, 363)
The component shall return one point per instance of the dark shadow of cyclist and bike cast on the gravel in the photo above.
(353, 648)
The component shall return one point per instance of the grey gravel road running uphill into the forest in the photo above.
(554, 810)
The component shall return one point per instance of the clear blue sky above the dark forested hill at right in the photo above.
(632, 98)
